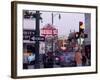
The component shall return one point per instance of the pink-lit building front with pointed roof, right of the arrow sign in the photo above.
(51, 35)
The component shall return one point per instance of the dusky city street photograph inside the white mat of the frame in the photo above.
(55, 41)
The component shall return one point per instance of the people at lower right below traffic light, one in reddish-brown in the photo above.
(82, 56)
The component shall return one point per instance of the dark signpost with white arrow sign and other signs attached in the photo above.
(28, 34)
